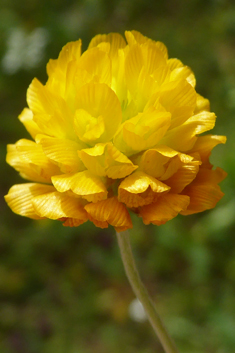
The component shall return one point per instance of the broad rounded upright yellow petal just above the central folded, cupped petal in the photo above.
(99, 102)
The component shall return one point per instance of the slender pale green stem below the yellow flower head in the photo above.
(142, 294)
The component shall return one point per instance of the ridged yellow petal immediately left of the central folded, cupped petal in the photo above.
(62, 151)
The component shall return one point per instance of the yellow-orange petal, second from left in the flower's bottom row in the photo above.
(55, 205)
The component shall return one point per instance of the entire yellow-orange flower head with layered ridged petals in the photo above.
(115, 129)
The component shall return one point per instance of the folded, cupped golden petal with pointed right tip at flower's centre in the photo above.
(106, 160)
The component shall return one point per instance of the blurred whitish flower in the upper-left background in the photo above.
(24, 50)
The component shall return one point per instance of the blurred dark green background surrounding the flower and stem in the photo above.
(63, 289)
